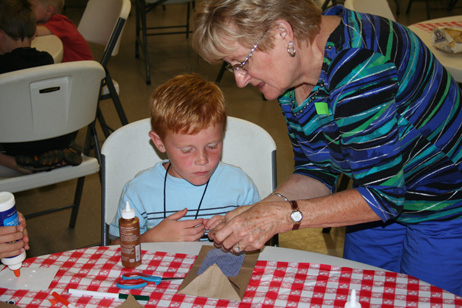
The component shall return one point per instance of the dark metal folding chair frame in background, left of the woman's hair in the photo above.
(143, 30)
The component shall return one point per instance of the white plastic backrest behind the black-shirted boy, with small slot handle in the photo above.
(48, 101)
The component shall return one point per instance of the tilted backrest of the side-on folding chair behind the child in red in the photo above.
(103, 21)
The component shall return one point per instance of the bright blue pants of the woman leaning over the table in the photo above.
(430, 251)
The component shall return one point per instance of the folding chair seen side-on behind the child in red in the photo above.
(102, 23)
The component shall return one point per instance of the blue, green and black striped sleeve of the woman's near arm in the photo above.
(363, 88)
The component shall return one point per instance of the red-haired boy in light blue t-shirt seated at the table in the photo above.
(174, 199)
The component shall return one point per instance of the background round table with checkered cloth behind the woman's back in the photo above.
(451, 61)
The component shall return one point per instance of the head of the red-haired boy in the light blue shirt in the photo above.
(188, 121)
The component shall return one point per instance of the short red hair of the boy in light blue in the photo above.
(186, 104)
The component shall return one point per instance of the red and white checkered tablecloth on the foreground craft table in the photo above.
(273, 284)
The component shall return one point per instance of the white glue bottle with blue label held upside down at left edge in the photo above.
(9, 217)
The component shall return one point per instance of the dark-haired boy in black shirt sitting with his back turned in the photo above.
(17, 29)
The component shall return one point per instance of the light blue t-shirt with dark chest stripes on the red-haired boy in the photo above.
(228, 188)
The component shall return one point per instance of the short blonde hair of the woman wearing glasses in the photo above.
(217, 22)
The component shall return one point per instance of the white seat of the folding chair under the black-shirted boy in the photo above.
(14, 181)
